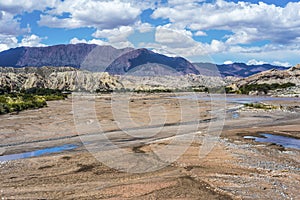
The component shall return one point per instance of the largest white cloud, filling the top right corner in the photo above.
(248, 22)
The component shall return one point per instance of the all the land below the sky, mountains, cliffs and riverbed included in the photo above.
(95, 122)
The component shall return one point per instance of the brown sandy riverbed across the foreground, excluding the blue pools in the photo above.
(233, 168)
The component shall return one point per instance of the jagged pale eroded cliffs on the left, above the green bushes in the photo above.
(63, 78)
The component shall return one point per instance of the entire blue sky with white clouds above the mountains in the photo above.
(218, 31)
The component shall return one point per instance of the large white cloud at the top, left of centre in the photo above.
(91, 13)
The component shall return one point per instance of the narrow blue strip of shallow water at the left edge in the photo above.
(38, 152)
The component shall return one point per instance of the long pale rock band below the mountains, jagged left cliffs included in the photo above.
(68, 78)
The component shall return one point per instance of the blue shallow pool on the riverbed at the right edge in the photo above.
(287, 142)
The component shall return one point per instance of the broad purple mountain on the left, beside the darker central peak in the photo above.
(87, 56)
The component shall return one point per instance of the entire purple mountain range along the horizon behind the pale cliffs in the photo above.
(129, 61)
